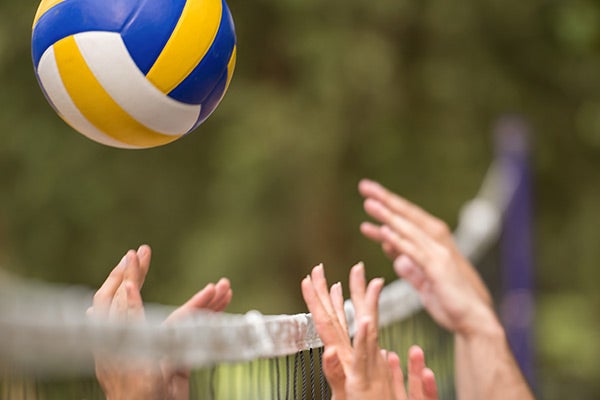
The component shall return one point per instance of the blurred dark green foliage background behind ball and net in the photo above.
(326, 93)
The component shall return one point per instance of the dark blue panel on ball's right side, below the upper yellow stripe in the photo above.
(200, 83)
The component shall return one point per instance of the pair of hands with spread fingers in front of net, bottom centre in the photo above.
(359, 369)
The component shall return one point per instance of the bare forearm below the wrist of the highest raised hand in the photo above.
(486, 368)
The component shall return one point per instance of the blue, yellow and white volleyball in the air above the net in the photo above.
(134, 73)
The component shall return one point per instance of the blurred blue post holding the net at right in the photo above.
(517, 306)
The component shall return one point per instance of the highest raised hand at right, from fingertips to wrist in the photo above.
(425, 254)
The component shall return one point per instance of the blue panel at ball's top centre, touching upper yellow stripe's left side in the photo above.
(149, 30)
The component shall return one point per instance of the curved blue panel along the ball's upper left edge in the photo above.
(75, 16)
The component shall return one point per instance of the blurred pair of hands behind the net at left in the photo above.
(119, 299)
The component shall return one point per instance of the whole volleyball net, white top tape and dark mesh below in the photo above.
(47, 342)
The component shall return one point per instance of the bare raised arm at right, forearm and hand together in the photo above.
(452, 292)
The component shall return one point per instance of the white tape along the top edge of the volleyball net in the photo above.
(44, 329)
